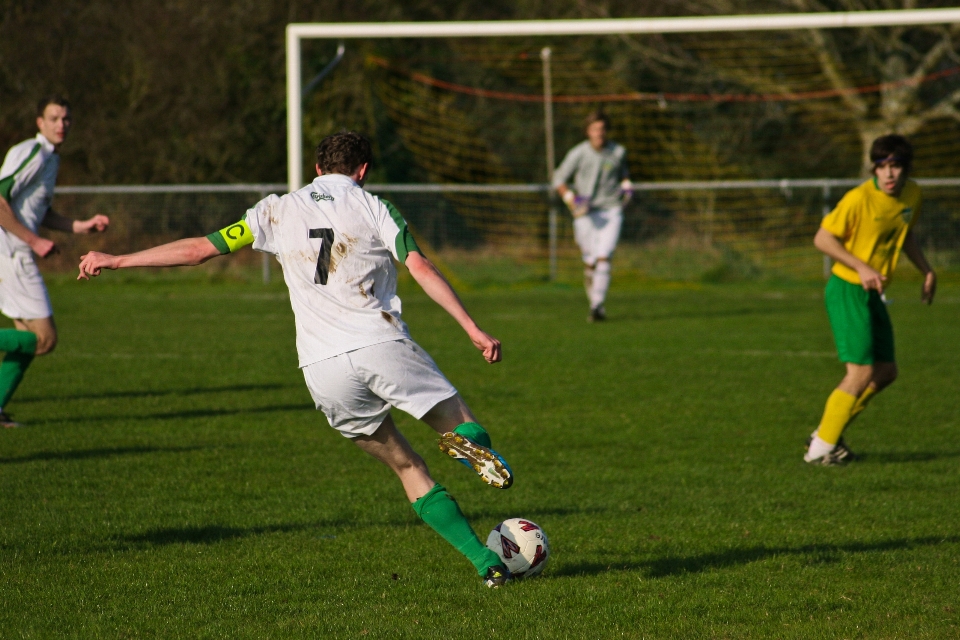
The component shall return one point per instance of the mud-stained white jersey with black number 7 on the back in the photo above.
(336, 244)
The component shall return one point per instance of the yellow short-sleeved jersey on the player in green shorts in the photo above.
(873, 225)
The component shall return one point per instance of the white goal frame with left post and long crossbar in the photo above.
(527, 28)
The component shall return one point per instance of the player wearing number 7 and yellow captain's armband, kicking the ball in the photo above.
(337, 244)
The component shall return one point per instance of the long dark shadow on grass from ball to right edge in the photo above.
(816, 553)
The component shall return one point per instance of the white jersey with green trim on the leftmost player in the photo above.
(27, 180)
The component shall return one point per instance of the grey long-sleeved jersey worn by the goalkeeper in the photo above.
(595, 174)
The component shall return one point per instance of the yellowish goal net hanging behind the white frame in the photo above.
(740, 140)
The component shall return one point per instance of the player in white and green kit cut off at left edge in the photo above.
(27, 179)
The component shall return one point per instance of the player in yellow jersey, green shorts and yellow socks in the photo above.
(864, 235)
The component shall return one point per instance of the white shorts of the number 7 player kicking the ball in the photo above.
(355, 390)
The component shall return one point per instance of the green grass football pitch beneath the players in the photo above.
(175, 481)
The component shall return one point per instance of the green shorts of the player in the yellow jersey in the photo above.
(860, 322)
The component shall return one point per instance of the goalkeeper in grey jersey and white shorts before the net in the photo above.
(597, 168)
